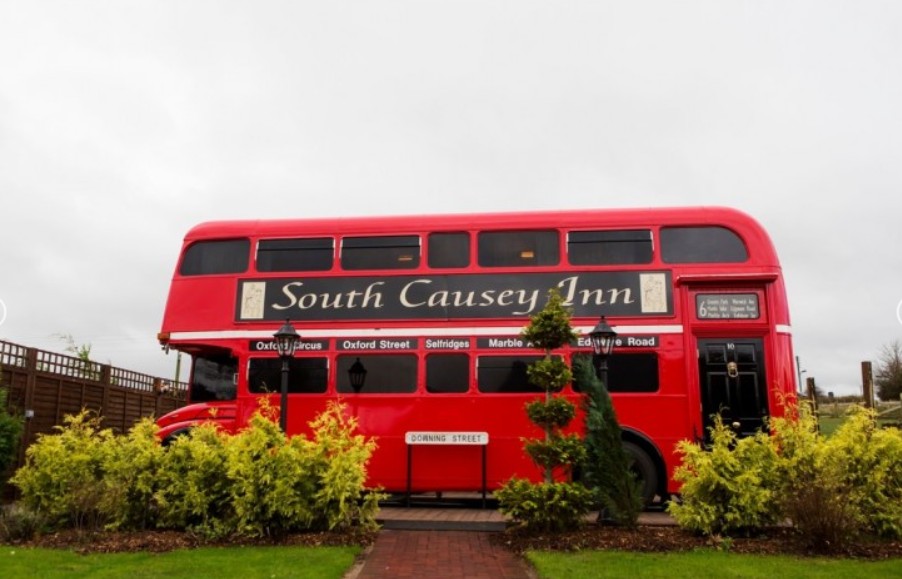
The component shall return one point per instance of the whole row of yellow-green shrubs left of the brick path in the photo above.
(254, 483)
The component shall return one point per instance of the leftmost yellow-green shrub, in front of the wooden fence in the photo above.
(63, 478)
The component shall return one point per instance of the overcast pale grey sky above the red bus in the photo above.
(122, 124)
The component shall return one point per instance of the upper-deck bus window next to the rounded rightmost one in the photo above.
(609, 247)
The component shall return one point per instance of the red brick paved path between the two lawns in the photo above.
(439, 555)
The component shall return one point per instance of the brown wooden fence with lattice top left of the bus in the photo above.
(45, 386)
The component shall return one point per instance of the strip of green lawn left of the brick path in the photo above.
(219, 563)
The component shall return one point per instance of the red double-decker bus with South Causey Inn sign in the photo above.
(431, 308)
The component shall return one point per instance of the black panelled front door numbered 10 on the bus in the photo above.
(732, 382)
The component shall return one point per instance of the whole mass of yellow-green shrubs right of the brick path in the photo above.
(830, 489)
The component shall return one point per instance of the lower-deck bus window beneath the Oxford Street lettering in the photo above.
(377, 373)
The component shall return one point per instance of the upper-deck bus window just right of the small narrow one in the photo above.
(518, 248)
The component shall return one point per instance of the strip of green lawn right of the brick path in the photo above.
(701, 564)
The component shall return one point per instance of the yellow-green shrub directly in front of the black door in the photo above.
(730, 488)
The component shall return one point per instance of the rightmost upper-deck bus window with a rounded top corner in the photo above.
(711, 244)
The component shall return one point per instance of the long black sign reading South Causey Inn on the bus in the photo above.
(589, 294)
